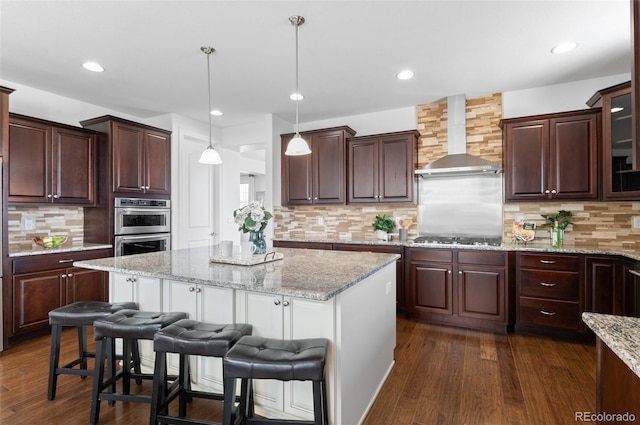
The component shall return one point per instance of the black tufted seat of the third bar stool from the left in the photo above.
(192, 337)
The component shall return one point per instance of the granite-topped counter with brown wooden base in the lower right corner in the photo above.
(617, 366)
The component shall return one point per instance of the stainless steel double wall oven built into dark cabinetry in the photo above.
(141, 225)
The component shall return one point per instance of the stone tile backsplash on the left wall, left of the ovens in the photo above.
(48, 220)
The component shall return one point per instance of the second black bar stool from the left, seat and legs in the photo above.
(131, 326)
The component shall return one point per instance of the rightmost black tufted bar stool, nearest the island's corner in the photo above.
(285, 360)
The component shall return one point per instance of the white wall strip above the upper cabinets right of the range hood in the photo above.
(556, 98)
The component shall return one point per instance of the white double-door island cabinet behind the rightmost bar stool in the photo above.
(285, 318)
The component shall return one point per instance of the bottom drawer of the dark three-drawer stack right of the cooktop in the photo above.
(557, 314)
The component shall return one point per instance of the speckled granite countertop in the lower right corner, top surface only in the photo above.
(620, 333)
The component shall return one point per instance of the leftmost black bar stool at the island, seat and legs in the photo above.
(79, 314)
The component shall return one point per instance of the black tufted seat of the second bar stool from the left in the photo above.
(134, 324)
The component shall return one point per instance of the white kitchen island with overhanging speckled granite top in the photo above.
(347, 297)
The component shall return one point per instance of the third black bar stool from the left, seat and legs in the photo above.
(187, 338)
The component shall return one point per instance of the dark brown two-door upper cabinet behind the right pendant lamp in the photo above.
(318, 178)
